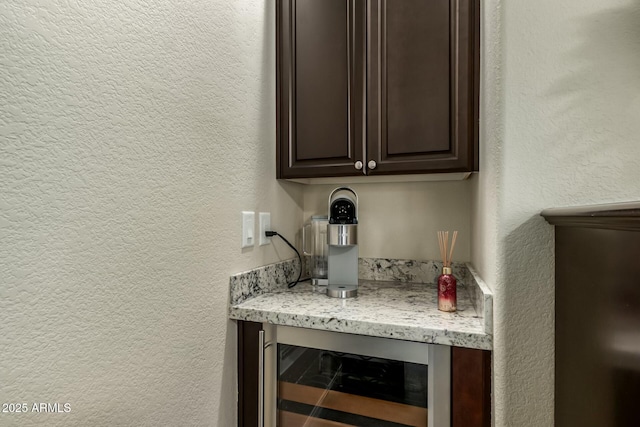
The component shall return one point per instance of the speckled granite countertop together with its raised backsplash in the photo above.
(390, 306)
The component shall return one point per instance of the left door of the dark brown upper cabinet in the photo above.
(320, 87)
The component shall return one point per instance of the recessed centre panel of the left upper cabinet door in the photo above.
(322, 91)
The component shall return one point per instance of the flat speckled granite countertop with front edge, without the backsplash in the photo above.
(390, 309)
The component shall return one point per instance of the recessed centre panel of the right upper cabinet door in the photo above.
(409, 75)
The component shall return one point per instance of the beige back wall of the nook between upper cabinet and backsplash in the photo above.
(400, 220)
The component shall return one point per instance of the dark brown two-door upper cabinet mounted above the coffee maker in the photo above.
(376, 87)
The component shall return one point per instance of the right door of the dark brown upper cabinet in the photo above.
(422, 83)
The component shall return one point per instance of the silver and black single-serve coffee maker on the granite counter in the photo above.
(342, 241)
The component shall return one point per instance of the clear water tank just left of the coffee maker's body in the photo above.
(314, 245)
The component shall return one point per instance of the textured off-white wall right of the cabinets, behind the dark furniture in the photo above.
(560, 117)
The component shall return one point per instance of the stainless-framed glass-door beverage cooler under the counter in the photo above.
(316, 378)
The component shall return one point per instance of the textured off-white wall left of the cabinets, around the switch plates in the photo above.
(132, 134)
